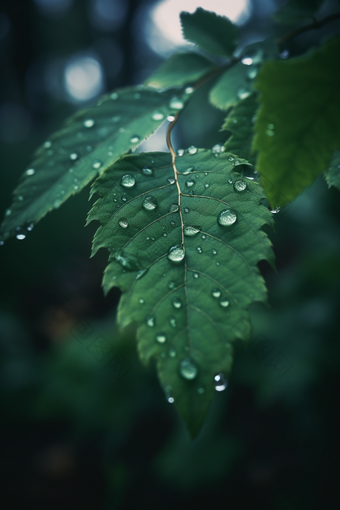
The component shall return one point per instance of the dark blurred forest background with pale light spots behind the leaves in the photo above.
(86, 430)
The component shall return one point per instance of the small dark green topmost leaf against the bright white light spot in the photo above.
(211, 32)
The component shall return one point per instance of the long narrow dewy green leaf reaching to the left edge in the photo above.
(90, 141)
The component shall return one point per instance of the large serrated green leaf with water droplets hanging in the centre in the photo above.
(191, 309)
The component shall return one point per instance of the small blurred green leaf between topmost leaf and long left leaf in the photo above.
(180, 70)
